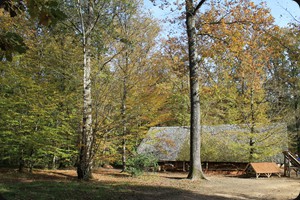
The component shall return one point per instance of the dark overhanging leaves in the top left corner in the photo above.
(47, 12)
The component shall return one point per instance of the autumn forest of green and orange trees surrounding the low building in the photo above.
(81, 82)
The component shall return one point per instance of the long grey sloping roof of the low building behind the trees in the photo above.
(227, 143)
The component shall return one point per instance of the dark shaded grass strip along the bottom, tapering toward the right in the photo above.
(74, 190)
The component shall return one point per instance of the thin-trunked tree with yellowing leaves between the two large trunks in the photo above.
(137, 33)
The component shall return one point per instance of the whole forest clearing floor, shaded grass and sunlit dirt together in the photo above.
(111, 184)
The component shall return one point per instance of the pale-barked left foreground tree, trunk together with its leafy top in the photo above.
(88, 17)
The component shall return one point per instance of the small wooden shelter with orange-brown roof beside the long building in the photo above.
(263, 168)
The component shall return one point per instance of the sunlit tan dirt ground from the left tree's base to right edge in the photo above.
(174, 186)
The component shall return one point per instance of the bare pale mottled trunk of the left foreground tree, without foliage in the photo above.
(84, 168)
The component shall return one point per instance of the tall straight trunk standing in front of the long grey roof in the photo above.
(195, 172)
